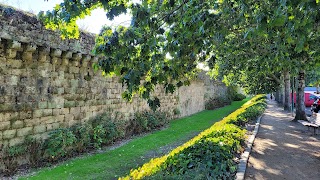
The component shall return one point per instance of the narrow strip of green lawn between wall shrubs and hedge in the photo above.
(118, 162)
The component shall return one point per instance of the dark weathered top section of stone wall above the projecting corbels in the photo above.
(17, 25)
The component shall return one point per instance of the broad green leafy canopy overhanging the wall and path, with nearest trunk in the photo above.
(277, 36)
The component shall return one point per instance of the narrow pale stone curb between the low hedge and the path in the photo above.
(242, 166)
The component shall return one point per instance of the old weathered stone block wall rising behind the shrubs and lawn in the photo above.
(47, 83)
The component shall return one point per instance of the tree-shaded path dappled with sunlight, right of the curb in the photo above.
(283, 149)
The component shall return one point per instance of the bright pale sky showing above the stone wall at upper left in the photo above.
(92, 24)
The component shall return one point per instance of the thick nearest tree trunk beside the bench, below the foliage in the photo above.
(300, 107)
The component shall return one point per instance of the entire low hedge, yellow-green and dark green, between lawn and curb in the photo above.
(210, 154)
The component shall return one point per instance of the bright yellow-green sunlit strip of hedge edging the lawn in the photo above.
(154, 165)
